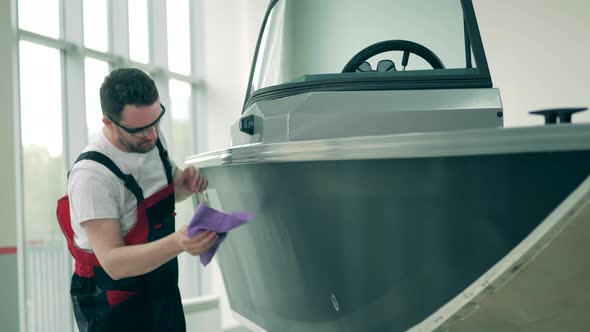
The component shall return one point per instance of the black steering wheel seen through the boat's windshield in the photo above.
(407, 46)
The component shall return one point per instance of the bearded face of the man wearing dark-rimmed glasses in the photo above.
(138, 117)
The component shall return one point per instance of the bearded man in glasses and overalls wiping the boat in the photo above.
(120, 228)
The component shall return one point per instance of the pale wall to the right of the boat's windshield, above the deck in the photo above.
(539, 54)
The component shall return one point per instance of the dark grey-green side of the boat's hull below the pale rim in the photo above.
(378, 245)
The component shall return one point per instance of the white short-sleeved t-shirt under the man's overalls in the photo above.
(97, 193)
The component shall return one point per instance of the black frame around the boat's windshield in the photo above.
(478, 77)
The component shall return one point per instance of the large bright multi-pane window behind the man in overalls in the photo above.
(66, 48)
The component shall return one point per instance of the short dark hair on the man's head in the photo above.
(126, 86)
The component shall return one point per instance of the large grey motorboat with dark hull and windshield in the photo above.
(386, 192)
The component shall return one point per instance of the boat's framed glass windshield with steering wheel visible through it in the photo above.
(312, 42)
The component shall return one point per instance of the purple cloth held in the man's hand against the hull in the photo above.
(206, 218)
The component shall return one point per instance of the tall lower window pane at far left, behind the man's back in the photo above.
(41, 108)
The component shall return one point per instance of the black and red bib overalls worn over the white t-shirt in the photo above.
(150, 302)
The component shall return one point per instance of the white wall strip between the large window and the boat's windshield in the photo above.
(231, 30)
